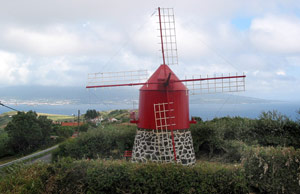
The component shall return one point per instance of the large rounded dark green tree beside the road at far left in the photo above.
(27, 131)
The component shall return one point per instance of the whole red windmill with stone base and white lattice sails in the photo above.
(163, 123)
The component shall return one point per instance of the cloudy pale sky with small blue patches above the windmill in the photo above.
(57, 43)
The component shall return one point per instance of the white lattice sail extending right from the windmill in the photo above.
(215, 84)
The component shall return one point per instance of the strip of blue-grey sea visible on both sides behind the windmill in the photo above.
(206, 111)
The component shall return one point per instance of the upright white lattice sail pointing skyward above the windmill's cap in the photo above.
(168, 35)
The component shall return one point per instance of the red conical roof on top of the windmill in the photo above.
(159, 78)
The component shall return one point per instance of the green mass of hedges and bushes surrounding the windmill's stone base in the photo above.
(237, 155)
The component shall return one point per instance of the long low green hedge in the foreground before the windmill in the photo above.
(100, 176)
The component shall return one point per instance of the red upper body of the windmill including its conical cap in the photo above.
(163, 89)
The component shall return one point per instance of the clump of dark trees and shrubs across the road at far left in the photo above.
(27, 132)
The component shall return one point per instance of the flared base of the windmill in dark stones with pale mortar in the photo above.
(150, 145)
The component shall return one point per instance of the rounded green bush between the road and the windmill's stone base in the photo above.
(110, 142)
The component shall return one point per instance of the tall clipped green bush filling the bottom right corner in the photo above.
(273, 170)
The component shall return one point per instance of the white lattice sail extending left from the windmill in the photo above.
(115, 78)
